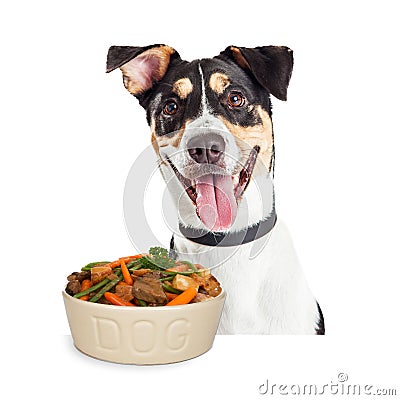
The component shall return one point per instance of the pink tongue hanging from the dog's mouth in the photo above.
(216, 203)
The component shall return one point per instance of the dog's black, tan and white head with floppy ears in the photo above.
(210, 120)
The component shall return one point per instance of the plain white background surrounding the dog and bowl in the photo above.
(70, 132)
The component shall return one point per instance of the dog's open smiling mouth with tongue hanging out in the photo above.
(216, 196)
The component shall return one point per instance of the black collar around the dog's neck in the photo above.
(229, 239)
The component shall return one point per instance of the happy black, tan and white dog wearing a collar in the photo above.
(211, 128)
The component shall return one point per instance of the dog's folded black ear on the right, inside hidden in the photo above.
(271, 66)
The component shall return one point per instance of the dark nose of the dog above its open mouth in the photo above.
(206, 149)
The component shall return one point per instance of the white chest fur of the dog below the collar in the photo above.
(266, 294)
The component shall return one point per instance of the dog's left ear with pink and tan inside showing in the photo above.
(141, 66)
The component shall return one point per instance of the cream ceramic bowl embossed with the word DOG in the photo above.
(143, 335)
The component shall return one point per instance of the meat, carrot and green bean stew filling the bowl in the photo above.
(146, 280)
